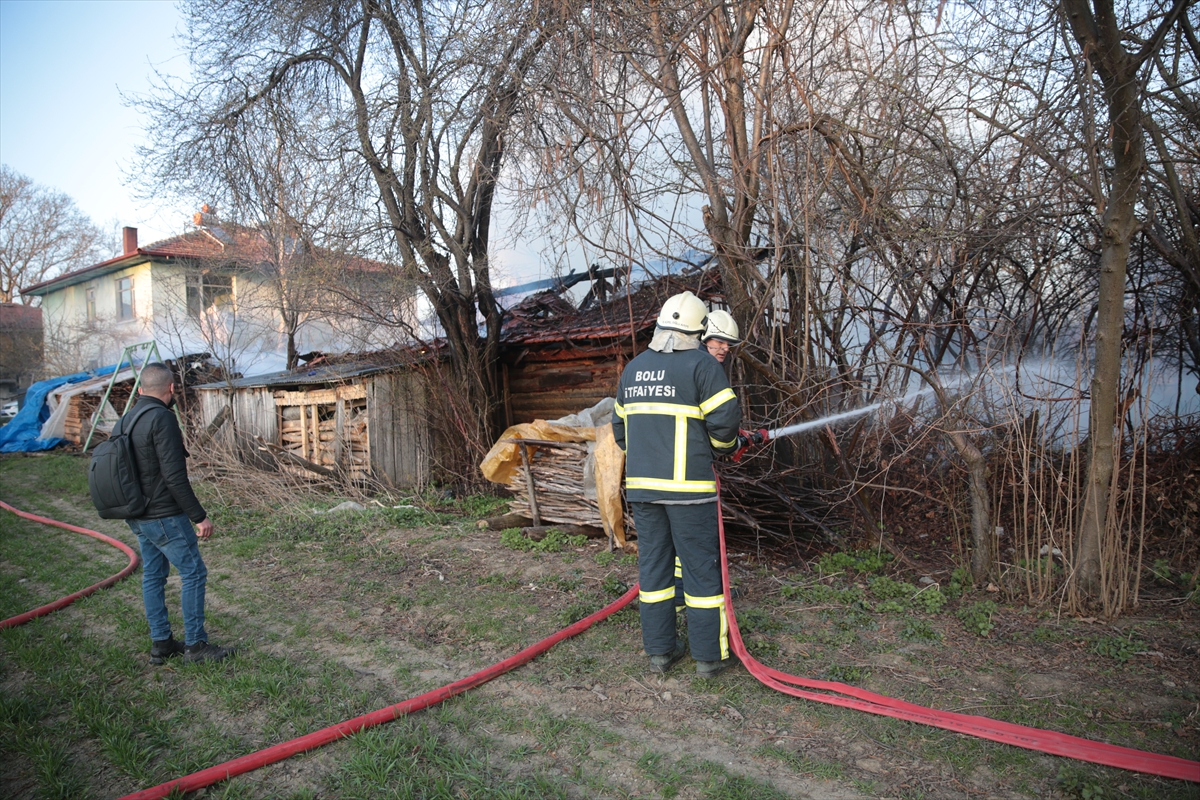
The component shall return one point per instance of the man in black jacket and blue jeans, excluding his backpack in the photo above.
(165, 528)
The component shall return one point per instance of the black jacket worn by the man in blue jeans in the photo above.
(160, 454)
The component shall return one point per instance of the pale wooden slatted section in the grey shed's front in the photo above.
(328, 428)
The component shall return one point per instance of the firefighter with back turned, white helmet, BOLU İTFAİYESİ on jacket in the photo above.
(675, 411)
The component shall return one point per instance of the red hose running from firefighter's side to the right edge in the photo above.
(853, 697)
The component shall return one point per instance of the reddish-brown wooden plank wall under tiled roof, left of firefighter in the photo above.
(543, 389)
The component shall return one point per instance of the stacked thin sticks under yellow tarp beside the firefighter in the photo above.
(559, 486)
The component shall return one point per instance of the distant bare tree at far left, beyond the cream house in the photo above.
(43, 233)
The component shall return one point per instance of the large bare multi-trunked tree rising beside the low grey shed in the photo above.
(419, 98)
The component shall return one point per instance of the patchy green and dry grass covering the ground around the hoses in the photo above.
(341, 615)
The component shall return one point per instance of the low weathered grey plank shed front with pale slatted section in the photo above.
(368, 419)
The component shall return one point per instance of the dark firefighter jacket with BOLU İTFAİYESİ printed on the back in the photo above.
(674, 411)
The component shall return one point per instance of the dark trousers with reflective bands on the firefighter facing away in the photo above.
(688, 532)
